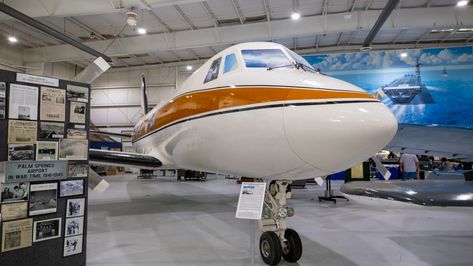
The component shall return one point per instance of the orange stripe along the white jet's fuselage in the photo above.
(194, 103)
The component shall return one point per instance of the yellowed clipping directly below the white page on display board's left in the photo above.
(22, 132)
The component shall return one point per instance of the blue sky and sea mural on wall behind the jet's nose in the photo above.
(425, 86)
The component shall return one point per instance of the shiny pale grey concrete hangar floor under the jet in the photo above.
(164, 222)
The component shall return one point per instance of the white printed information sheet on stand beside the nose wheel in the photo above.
(250, 203)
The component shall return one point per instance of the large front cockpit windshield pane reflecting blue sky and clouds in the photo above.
(266, 58)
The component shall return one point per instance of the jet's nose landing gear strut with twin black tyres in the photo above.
(277, 240)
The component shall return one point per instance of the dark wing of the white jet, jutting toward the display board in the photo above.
(125, 159)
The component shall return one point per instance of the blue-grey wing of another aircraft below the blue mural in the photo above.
(455, 143)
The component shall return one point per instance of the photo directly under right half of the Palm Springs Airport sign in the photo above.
(43, 198)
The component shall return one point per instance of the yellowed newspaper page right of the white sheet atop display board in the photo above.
(53, 104)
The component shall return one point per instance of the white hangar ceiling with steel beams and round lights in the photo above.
(188, 30)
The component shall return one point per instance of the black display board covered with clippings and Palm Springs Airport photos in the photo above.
(44, 136)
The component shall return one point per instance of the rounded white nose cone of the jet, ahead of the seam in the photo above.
(335, 137)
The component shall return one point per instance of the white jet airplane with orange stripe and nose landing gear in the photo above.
(260, 110)
